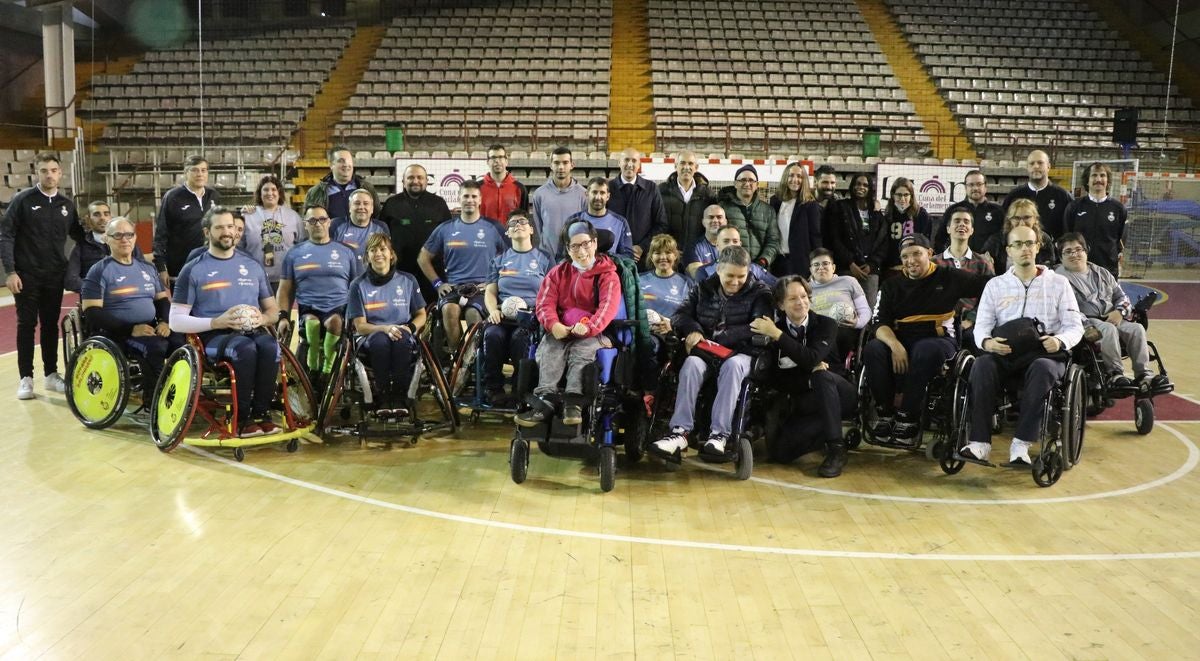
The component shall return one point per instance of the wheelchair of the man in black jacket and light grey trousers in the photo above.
(746, 428)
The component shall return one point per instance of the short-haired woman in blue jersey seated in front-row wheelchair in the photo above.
(388, 311)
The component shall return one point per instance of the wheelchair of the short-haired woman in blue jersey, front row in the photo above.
(349, 402)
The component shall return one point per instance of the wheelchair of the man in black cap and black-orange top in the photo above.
(937, 425)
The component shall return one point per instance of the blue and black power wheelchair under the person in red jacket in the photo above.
(613, 414)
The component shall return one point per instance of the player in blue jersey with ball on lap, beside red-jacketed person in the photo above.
(518, 273)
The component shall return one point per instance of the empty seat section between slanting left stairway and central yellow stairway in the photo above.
(523, 71)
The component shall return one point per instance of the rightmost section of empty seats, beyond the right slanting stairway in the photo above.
(1037, 73)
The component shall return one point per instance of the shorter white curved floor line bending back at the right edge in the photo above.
(1187, 467)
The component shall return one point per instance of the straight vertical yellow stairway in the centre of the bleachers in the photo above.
(631, 111)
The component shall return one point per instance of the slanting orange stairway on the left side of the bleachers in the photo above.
(316, 133)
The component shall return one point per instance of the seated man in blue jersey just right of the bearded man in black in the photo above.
(467, 248)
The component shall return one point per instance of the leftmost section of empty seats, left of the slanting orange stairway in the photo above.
(257, 89)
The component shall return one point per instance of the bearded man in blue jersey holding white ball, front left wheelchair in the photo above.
(212, 295)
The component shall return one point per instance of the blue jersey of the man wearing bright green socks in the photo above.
(321, 274)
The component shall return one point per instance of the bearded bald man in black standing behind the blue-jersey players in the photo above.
(412, 215)
